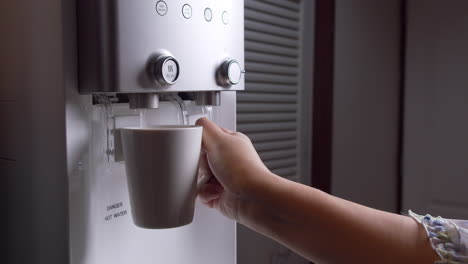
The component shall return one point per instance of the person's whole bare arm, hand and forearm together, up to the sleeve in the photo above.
(318, 226)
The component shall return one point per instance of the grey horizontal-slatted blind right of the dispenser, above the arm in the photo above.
(267, 111)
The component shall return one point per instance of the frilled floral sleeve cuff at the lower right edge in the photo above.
(449, 238)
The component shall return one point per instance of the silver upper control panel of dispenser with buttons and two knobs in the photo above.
(141, 46)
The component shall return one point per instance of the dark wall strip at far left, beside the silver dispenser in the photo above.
(32, 139)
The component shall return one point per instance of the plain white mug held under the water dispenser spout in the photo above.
(162, 165)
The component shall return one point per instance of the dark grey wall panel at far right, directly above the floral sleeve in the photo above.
(436, 108)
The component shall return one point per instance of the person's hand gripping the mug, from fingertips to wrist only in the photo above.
(231, 158)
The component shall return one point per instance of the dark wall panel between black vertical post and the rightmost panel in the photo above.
(366, 102)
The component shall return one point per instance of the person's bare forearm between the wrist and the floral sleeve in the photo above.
(318, 226)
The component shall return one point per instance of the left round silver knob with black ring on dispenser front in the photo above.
(165, 70)
